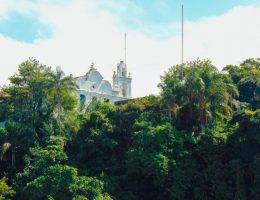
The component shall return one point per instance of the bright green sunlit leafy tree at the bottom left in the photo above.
(47, 175)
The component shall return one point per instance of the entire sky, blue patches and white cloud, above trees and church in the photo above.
(74, 33)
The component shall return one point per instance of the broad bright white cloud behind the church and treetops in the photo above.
(83, 33)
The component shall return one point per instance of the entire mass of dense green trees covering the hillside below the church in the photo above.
(199, 139)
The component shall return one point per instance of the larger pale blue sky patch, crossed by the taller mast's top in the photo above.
(152, 17)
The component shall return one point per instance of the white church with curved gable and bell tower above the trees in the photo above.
(92, 85)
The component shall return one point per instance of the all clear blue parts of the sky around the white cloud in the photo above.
(148, 16)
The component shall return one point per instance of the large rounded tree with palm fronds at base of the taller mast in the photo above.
(201, 97)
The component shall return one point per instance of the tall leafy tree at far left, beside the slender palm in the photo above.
(27, 110)
